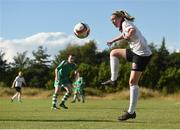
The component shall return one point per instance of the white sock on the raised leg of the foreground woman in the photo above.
(114, 63)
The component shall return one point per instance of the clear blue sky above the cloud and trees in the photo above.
(23, 19)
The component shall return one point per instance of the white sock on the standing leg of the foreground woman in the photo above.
(134, 90)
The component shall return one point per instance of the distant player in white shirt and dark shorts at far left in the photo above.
(17, 83)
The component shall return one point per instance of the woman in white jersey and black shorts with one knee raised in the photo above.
(139, 54)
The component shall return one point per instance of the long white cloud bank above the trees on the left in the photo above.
(53, 41)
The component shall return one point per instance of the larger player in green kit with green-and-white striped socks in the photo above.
(62, 79)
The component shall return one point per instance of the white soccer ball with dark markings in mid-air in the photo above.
(81, 30)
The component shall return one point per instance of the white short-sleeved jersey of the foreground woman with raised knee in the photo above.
(137, 42)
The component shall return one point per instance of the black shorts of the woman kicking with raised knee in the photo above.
(140, 61)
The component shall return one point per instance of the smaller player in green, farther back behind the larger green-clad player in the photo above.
(78, 88)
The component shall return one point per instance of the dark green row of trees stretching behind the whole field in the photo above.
(162, 72)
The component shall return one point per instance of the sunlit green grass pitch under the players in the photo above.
(95, 113)
